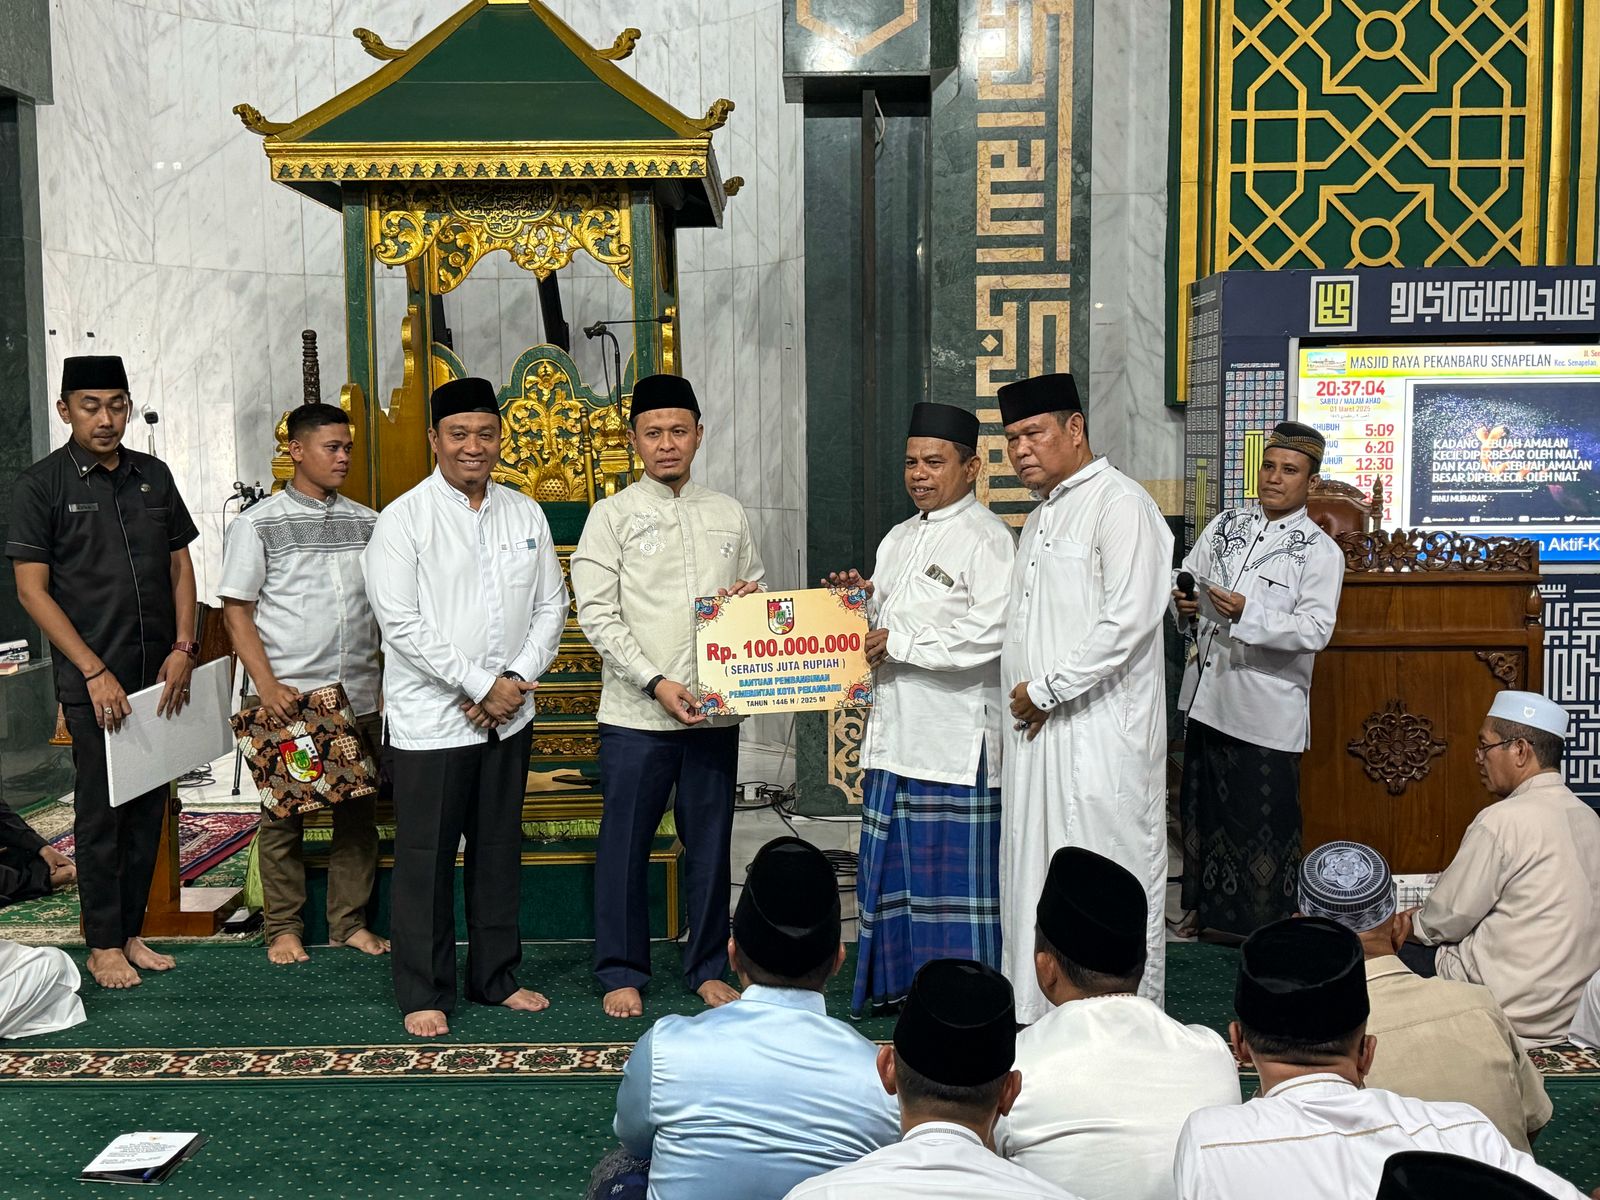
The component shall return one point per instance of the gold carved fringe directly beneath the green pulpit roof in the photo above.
(542, 226)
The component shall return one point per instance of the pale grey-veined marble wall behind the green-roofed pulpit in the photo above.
(167, 239)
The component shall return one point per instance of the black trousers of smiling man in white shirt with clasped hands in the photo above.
(441, 796)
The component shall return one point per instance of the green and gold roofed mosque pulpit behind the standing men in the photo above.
(503, 130)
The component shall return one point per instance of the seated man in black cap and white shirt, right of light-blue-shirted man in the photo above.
(951, 1068)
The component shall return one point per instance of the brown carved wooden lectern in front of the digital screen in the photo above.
(1431, 628)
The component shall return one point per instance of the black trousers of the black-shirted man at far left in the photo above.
(116, 847)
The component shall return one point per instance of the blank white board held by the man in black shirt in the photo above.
(150, 751)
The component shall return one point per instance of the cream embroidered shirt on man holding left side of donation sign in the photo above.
(644, 559)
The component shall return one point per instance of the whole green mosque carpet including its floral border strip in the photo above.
(308, 1086)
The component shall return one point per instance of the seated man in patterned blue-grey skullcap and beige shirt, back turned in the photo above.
(1441, 1039)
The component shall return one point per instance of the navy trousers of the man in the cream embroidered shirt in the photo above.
(639, 770)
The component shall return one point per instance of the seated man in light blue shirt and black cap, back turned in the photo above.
(748, 1100)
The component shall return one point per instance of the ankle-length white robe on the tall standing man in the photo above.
(1084, 628)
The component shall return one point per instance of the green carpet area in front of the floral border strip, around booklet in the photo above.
(362, 1142)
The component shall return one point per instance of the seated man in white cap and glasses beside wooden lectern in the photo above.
(1519, 906)
